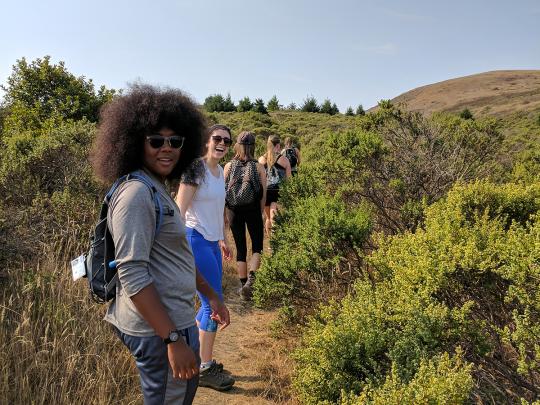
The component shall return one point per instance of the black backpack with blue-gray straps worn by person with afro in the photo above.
(99, 261)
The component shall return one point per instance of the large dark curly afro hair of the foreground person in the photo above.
(125, 121)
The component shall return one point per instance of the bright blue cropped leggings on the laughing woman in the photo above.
(208, 260)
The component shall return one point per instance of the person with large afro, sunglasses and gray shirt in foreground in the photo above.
(155, 133)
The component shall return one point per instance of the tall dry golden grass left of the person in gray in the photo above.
(54, 346)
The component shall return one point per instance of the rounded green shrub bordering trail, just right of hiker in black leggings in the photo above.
(316, 248)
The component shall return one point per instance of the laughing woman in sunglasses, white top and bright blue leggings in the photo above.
(201, 198)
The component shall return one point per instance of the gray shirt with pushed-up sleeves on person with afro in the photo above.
(143, 258)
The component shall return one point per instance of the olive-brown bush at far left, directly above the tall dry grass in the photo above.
(47, 184)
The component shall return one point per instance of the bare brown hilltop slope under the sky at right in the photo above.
(495, 93)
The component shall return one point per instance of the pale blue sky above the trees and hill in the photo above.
(352, 52)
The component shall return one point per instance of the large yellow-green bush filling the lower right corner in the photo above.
(466, 282)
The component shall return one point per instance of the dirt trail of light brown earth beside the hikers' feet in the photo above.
(243, 348)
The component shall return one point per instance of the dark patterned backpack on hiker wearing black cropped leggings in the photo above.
(243, 184)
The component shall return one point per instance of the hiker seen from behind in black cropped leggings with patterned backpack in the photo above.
(245, 185)
